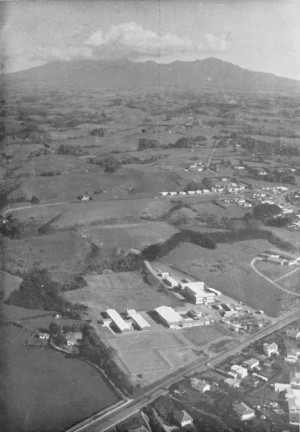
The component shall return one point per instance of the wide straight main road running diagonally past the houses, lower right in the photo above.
(111, 419)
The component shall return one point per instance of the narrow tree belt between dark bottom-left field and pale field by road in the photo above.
(94, 350)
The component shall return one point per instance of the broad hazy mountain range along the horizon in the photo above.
(123, 74)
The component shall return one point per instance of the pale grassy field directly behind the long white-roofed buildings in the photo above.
(119, 291)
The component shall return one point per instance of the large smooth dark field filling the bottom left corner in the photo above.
(37, 382)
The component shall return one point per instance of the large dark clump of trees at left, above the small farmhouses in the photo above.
(39, 291)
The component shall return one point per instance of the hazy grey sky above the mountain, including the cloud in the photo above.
(261, 35)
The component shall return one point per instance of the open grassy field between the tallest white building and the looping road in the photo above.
(227, 268)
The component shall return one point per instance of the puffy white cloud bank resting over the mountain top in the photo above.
(132, 40)
